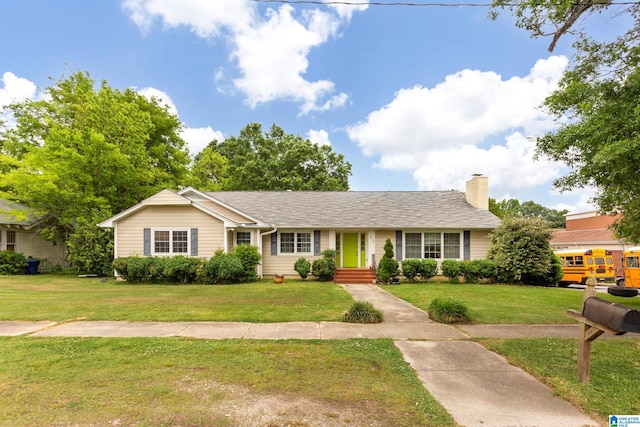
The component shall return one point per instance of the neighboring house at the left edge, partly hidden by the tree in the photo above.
(20, 232)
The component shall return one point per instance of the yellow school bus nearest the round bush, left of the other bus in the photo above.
(578, 264)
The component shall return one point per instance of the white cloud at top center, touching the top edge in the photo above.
(270, 52)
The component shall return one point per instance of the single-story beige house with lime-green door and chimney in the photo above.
(287, 225)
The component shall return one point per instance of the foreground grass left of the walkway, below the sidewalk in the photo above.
(171, 381)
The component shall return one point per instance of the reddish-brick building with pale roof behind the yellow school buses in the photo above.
(590, 230)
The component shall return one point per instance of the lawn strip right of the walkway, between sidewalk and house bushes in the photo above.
(505, 303)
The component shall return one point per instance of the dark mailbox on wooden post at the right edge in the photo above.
(615, 316)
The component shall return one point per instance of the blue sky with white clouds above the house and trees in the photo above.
(416, 98)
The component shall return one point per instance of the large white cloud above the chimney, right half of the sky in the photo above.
(438, 133)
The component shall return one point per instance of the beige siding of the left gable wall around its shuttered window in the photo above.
(130, 230)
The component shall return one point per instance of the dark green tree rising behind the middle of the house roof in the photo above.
(274, 160)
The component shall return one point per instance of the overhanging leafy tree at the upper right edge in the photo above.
(597, 104)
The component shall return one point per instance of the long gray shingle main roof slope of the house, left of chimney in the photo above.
(360, 209)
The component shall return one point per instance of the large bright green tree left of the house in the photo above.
(83, 149)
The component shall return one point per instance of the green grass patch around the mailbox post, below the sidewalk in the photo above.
(615, 371)
